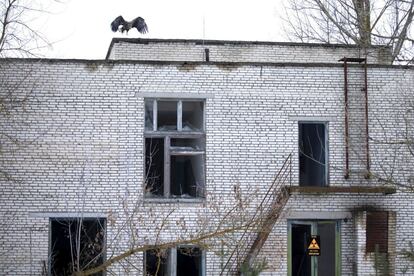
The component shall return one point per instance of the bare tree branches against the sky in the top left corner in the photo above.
(18, 36)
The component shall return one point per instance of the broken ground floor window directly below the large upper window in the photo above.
(180, 261)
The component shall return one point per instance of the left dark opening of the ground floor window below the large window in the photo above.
(156, 262)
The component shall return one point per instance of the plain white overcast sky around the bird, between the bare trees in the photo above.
(80, 28)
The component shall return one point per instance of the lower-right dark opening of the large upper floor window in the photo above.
(186, 176)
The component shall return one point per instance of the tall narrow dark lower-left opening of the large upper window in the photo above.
(154, 164)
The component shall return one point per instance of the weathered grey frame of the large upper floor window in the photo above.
(167, 136)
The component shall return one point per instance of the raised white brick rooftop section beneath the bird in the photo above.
(238, 51)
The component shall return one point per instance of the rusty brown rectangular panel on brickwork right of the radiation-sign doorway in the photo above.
(377, 232)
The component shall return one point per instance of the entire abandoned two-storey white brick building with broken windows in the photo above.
(192, 157)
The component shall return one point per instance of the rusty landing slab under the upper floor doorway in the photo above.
(342, 190)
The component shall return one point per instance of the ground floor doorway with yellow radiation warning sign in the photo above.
(314, 248)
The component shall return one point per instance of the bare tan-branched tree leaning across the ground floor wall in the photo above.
(221, 228)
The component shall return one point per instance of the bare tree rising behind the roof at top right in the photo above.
(360, 22)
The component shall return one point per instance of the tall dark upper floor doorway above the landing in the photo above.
(313, 154)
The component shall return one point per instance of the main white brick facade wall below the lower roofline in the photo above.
(80, 148)
